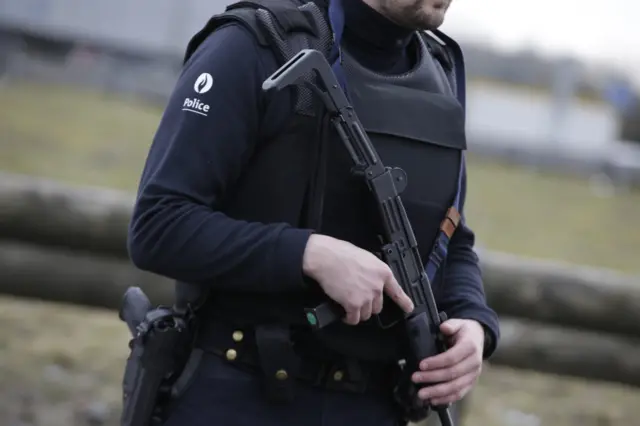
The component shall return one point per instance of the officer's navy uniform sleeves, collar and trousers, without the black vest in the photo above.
(216, 118)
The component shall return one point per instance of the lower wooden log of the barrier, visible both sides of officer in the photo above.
(44, 274)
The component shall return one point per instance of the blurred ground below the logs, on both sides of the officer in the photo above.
(61, 366)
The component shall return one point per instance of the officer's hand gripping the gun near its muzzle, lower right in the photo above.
(456, 370)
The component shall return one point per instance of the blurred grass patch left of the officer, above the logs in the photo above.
(74, 135)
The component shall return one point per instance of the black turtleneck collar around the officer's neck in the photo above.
(375, 41)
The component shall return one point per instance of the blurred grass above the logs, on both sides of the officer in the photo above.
(97, 139)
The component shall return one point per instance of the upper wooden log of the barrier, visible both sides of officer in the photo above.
(94, 220)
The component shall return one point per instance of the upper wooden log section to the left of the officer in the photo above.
(51, 213)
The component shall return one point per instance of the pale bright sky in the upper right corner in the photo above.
(598, 30)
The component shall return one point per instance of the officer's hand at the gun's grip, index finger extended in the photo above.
(354, 278)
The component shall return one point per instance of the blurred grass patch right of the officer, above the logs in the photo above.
(553, 216)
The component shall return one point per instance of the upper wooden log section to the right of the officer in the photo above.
(579, 297)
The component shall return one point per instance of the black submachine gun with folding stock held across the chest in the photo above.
(400, 249)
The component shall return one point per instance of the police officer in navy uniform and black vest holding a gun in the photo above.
(253, 202)
